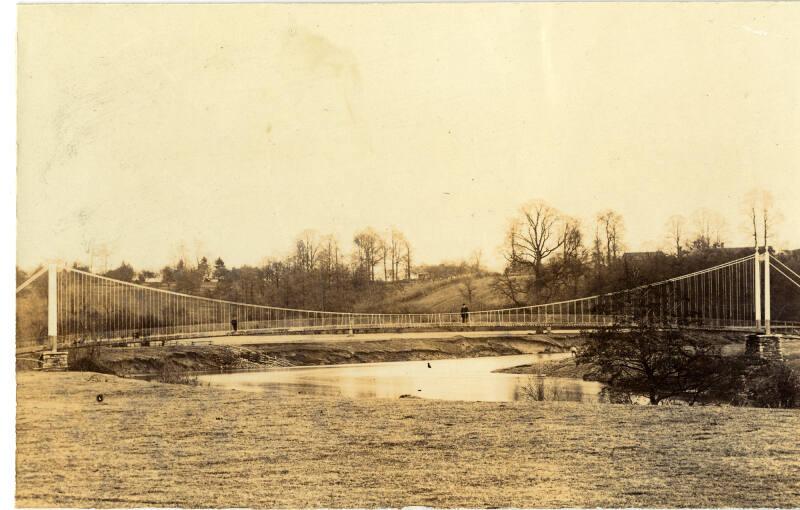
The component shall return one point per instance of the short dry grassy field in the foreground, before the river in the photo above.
(150, 444)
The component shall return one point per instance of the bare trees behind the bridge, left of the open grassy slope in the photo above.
(317, 273)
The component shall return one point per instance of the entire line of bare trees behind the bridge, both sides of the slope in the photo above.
(549, 256)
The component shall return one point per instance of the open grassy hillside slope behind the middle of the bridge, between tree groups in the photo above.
(436, 296)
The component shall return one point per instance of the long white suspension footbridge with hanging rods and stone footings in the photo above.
(89, 309)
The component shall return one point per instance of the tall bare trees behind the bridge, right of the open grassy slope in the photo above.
(551, 256)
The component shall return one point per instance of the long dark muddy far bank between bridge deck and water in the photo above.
(214, 358)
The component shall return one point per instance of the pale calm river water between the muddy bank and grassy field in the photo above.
(468, 379)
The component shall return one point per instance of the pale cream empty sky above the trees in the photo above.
(229, 129)
